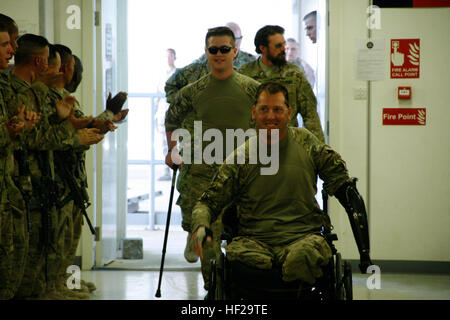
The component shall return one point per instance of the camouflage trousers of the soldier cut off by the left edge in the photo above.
(13, 249)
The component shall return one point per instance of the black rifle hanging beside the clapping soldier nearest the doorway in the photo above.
(76, 192)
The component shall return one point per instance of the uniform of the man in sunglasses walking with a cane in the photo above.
(218, 104)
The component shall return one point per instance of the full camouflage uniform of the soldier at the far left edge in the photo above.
(13, 237)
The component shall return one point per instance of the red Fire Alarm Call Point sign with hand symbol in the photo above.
(405, 58)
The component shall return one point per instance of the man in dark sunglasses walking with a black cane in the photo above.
(221, 100)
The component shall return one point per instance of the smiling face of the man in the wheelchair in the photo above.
(271, 112)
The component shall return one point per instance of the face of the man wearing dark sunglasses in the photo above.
(220, 62)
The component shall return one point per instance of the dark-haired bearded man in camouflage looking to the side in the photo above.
(272, 66)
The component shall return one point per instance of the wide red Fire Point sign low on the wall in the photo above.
(405, 116)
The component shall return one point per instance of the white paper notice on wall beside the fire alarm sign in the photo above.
(370, 59)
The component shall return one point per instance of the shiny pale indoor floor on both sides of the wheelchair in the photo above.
(188, 285)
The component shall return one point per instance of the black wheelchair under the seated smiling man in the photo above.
(233, 280)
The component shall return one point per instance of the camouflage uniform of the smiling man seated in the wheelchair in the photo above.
(279, 220)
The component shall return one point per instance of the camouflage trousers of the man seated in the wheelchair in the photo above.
(302, 259)
